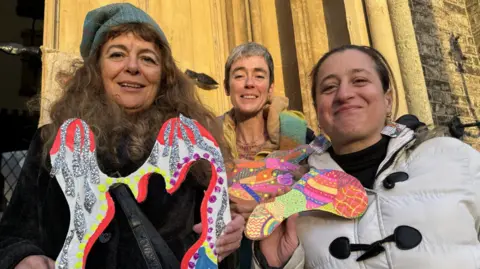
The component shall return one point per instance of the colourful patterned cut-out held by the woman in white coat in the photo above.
(326, 190)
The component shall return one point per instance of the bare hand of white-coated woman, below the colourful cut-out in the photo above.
(280, 245)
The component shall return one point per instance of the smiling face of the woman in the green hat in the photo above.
(131, 71)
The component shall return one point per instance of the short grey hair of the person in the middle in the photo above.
(248, 50)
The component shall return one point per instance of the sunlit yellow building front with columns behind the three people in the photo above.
(431, 45)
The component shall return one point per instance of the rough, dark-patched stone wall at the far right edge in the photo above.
(448, 39)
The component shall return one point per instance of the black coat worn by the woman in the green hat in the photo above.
(37, 218)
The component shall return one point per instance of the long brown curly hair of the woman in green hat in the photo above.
(84, 97)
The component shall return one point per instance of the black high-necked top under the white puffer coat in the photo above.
(363, 164)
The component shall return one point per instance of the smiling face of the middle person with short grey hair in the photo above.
(249, 85)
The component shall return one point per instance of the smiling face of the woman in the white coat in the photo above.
(351, 103)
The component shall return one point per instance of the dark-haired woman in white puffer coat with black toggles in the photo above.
(423, 188)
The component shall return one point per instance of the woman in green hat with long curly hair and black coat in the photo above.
(126, 89)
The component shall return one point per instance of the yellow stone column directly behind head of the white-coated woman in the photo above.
(382, 39)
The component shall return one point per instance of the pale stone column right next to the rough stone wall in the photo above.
(409, 58)
